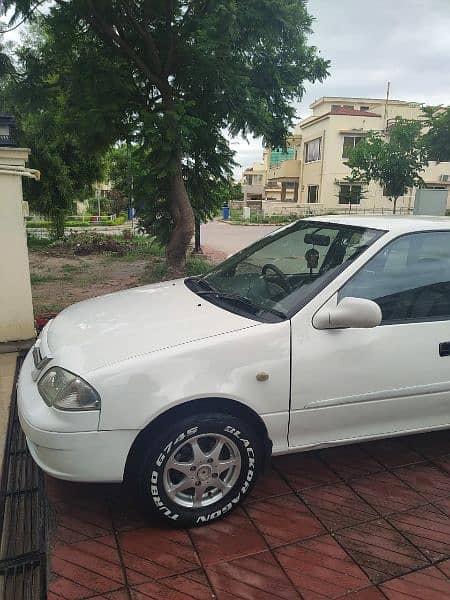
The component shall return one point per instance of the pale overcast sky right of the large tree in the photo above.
(406, 42)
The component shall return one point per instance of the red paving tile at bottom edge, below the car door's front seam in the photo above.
(319, 568)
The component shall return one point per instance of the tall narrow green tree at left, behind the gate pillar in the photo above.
(36, 94)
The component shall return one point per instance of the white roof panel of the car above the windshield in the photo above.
(394, 223)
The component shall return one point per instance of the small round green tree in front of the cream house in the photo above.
(394, 161)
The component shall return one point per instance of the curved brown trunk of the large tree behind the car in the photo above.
(183, 216)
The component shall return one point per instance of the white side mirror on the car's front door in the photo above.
(350, 312)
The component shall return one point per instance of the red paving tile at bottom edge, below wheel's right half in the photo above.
(256, 577)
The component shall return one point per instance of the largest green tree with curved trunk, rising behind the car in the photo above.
(197, 66)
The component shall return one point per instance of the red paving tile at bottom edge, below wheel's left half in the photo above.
(193, 586)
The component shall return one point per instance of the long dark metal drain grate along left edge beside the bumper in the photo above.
(23, 515)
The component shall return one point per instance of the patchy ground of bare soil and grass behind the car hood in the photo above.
(60, 276)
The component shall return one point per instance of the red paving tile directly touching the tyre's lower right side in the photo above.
(227, 539)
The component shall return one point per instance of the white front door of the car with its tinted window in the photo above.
(350, 384)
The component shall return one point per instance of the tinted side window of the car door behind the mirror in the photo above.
(409, 279)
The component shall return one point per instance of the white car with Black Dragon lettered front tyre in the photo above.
(328, 331)
